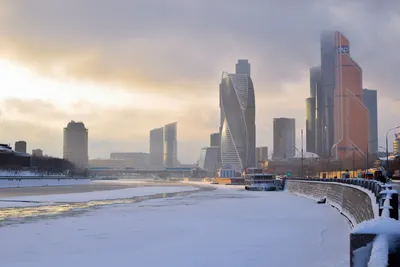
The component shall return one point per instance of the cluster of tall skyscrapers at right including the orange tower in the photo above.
(341, 117)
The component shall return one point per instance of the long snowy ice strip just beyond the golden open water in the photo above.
(89, 196)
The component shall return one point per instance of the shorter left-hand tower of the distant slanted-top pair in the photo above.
(157, 148)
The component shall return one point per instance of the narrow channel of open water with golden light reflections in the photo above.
(24, 214)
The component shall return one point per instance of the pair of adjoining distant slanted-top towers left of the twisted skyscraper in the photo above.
(164, 146)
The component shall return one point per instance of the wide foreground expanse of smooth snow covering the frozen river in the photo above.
(229, 227)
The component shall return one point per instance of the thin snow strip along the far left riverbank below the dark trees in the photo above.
(6, 183)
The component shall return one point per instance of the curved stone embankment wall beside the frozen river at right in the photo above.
(353, 202)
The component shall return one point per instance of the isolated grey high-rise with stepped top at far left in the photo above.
(75, 147)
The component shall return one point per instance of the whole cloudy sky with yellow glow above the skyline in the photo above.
(124, 67)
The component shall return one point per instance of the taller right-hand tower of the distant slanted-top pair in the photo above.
(170, 145)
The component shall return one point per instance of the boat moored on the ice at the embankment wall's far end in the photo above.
(257, 180)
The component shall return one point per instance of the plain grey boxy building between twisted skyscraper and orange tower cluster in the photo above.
(284, 138)
